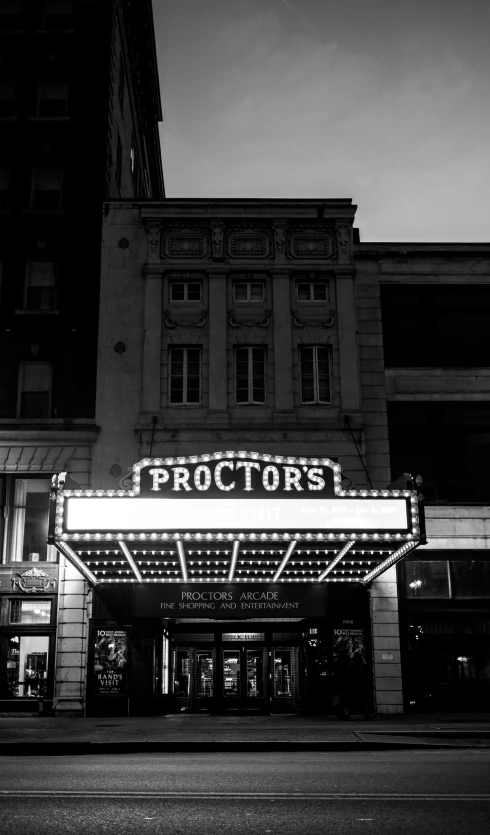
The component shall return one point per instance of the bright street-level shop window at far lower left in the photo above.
(27, 666)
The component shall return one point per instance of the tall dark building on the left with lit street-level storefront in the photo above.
(69, 140)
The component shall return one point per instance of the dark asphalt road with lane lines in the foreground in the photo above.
(195, 794)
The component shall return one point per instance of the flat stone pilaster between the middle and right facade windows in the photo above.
(283, 347)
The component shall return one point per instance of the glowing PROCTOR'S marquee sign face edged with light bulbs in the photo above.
(242, 492)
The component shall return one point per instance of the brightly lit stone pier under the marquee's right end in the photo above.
(386, 643)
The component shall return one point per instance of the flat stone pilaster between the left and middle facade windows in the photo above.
(217, 348)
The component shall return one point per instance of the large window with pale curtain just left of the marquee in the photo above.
(26, 531)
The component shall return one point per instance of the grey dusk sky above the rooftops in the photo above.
(383, 101)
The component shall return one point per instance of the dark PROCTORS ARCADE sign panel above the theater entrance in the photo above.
(216, 600)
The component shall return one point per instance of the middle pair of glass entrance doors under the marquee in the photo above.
(243, 677)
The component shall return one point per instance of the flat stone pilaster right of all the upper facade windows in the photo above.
(349, 362)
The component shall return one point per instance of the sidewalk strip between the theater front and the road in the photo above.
(196, 733)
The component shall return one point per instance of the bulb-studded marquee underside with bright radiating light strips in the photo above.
(233, 561)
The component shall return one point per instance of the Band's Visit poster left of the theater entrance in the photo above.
(110, 662)
